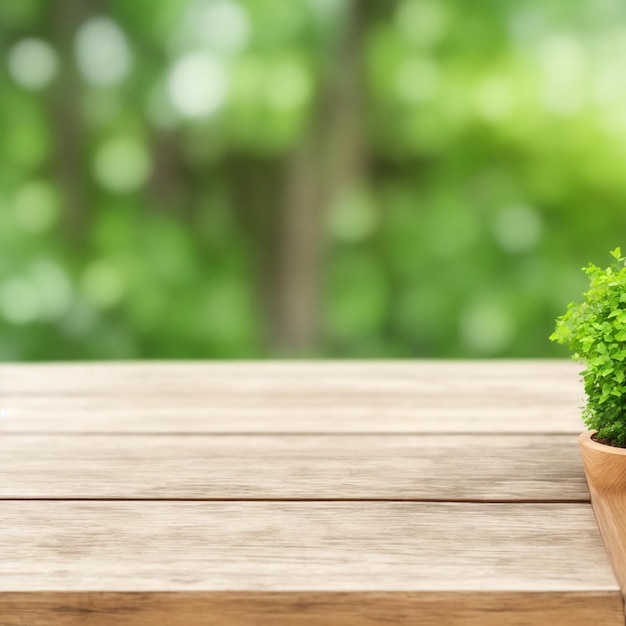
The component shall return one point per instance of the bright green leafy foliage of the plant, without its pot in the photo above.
(595, 332)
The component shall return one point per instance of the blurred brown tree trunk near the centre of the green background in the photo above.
(330, 159)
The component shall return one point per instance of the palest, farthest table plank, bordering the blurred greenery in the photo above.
(299, 397)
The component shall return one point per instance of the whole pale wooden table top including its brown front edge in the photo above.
(298, 493)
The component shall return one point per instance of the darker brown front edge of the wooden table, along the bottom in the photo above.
(313, 609)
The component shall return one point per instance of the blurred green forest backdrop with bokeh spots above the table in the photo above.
(317, 178)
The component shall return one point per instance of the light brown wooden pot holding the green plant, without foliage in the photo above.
(605, 469)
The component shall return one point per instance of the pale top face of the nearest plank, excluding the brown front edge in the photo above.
(305, 546)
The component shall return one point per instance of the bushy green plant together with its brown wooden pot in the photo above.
(595, 331)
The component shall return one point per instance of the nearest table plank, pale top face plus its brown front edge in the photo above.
(304, 563)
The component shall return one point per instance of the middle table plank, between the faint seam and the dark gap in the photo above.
(425, 467)
